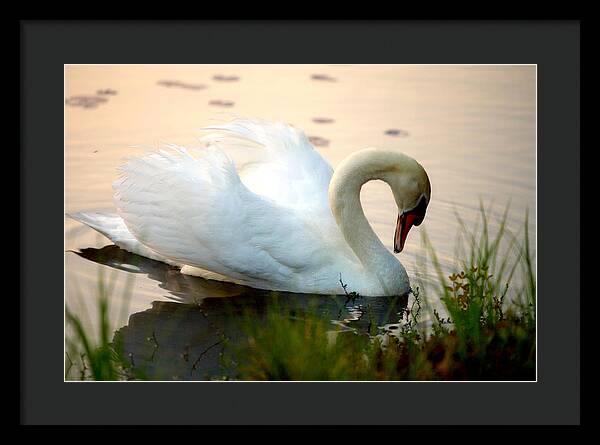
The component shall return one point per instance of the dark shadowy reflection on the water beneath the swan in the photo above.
(184, 338)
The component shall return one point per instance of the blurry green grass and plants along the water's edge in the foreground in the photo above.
(488, 331)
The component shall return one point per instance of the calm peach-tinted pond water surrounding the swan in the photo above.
(473, 128)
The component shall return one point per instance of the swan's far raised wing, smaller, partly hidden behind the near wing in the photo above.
(278, 162)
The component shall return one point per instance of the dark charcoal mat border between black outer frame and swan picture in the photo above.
(45, 46)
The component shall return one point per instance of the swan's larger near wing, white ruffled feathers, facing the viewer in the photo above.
(192, 207)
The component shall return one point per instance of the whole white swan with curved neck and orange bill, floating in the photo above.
(283, 220)
